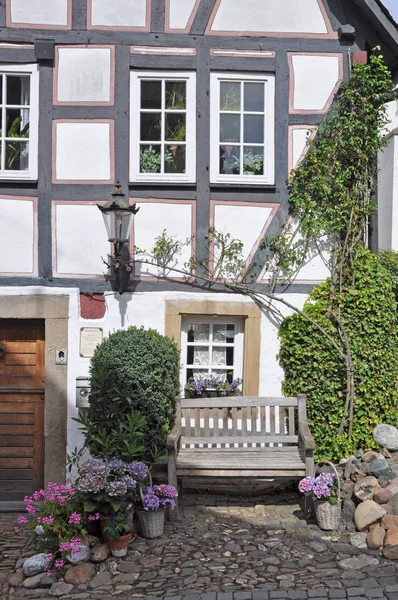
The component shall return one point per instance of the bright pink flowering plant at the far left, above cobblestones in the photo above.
(57, 518)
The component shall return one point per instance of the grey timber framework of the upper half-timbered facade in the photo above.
(370, 22)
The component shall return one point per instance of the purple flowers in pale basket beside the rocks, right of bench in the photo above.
(325, 492)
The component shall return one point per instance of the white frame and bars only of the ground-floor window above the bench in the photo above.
(238, 322)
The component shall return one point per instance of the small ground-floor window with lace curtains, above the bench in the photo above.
(211, 346)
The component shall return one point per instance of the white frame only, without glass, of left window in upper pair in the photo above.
(135, 88)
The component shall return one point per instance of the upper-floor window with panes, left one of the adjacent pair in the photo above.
(163, 126)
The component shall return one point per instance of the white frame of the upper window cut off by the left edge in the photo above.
(31, 173)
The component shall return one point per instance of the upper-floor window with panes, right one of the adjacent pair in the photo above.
(242, 128)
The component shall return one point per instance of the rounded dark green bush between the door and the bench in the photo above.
(135, 369)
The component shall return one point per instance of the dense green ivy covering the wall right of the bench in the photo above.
(312, 365)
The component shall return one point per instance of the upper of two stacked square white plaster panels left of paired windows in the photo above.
(84, 74)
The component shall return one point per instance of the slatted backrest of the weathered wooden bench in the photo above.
(239, 421)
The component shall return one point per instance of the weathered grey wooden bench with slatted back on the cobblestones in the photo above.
(240, 436)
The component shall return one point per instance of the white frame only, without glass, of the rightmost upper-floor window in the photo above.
(268, 177)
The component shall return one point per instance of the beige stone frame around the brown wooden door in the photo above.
(54, 310)
